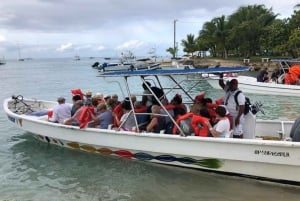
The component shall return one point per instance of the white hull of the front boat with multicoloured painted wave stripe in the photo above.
(267, 159)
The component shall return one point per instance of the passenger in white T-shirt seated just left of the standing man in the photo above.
(222, 127)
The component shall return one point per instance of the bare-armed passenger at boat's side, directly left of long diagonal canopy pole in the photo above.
(157, 122)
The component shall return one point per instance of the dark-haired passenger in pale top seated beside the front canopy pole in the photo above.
(127, 121)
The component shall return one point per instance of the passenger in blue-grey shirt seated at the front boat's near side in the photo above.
(103, 118)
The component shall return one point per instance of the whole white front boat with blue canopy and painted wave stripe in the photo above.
(267, 155)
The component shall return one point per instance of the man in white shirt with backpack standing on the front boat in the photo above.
(232, 97)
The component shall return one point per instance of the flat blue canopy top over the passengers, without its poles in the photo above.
(175, 72)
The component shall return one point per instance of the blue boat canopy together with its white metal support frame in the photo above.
(182, 86)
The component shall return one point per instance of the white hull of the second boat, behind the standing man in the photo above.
(250, 85)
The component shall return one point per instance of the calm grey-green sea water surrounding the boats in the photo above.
(33, 170)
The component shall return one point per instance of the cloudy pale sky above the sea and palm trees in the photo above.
(105, 28)
